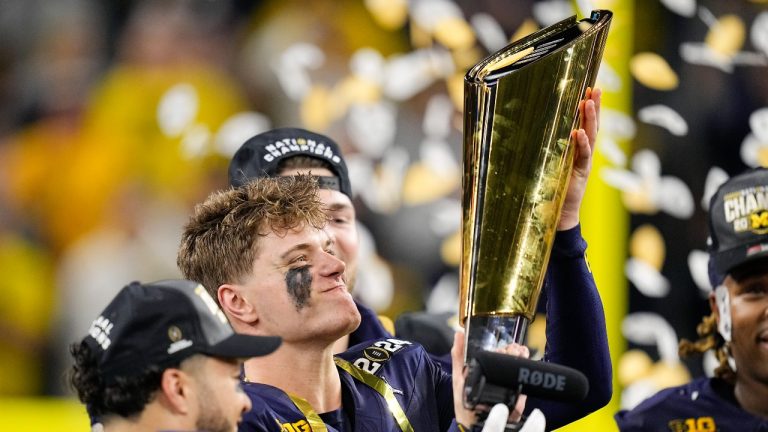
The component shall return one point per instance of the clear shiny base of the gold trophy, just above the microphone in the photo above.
(487, 333)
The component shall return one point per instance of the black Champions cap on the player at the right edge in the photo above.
(738, 223)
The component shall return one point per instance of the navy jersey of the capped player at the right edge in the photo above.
(705, 404)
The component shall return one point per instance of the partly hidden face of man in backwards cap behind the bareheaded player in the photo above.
(341, 221)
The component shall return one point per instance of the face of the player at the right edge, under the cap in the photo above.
(748, 290)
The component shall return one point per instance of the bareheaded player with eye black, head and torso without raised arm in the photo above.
(261, 250)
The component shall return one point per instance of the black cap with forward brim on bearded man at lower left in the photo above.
(161, 324)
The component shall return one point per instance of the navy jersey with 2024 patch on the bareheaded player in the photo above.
(373, 376)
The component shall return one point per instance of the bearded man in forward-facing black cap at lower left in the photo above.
(162, 356)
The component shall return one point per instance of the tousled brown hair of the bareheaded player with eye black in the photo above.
(220, 241)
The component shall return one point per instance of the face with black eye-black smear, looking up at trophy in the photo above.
(297, 287)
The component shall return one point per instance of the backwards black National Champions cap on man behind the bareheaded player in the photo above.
(260, 156)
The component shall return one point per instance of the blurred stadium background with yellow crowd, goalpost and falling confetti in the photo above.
(117, 117)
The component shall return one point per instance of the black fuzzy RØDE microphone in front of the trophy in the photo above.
(491, 373)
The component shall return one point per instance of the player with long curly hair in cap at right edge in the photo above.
(736, 398)
